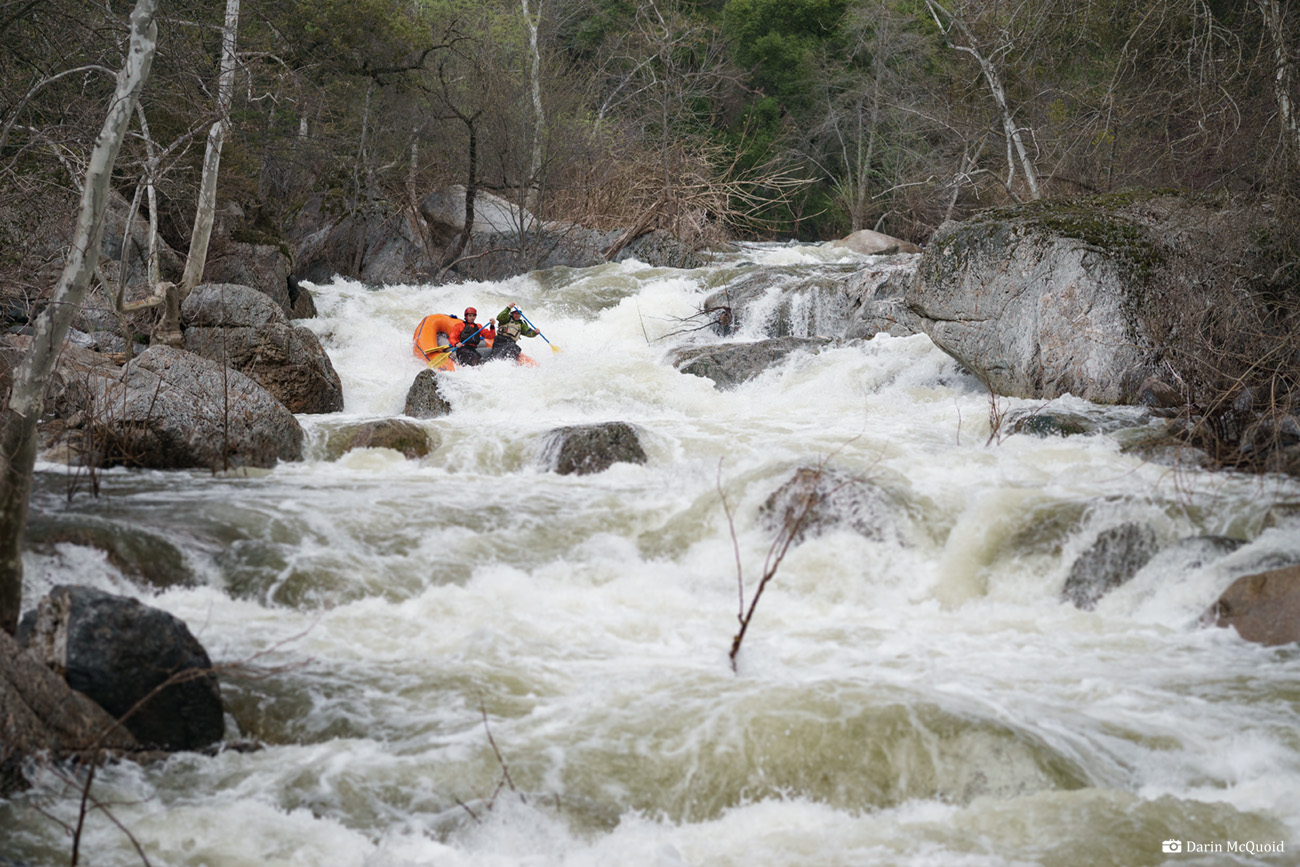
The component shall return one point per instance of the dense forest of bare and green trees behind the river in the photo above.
(710, 119)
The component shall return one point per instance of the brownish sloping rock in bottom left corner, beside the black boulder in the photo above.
(42, 716)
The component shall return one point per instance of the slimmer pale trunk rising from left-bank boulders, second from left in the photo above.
(207, 207)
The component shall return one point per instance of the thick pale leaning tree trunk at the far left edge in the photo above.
(27, 401)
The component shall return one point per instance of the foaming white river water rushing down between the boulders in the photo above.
(418, 630)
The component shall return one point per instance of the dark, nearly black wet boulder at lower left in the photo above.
(120, 654)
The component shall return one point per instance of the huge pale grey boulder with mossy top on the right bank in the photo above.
(1074, 297)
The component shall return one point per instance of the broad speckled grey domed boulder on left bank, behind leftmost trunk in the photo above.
(174, 410)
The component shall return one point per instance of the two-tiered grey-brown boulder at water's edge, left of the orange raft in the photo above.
(246, 331)
